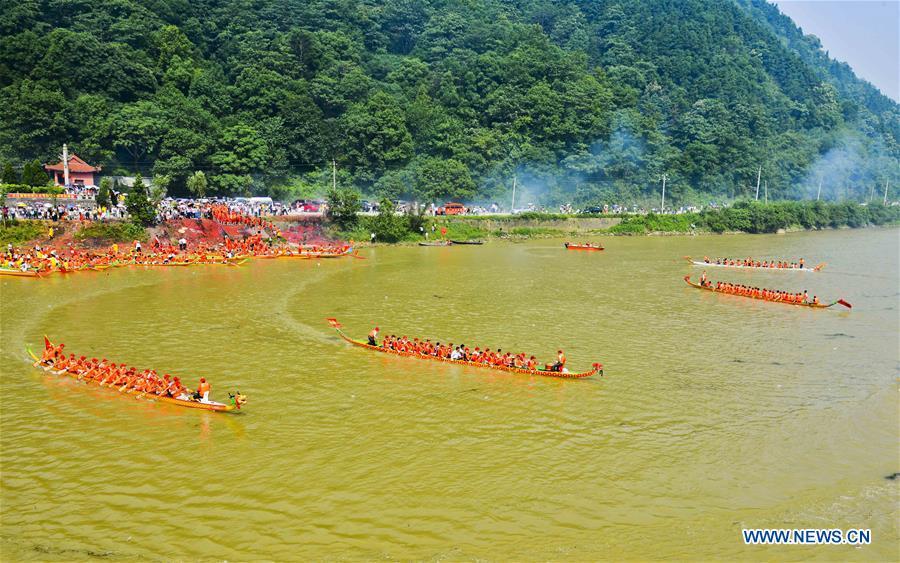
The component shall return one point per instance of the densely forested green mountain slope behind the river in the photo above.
(587, 101)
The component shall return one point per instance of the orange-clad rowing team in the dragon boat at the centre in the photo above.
(463, 353)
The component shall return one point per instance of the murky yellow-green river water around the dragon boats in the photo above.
(716, 413)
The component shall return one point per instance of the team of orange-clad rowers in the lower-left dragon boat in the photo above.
(123, 377)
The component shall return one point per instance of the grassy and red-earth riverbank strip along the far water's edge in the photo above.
(744, 217)
